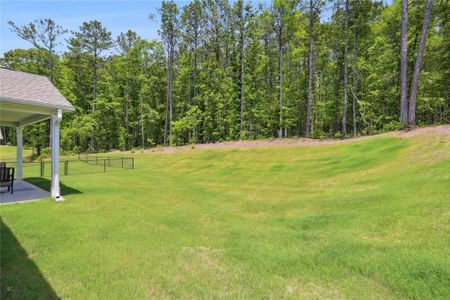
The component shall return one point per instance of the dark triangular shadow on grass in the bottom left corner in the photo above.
(20, 277)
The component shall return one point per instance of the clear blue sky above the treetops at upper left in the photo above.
(116, 16)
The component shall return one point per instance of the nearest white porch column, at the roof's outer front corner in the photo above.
(54, 140)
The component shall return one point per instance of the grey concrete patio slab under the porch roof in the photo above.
(23, 192)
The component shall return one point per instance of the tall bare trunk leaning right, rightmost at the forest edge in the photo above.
(417, 66)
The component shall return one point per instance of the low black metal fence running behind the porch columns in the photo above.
(82, 164)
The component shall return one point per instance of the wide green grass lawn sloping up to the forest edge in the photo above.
(363, 220)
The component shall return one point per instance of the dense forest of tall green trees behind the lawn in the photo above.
(228, 70)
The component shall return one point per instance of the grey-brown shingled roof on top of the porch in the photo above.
(31, 89)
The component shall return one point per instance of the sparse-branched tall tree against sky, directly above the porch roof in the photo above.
(43, 34)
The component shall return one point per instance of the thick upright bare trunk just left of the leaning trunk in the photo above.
(404, 64)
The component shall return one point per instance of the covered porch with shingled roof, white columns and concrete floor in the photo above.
(26, 99)
